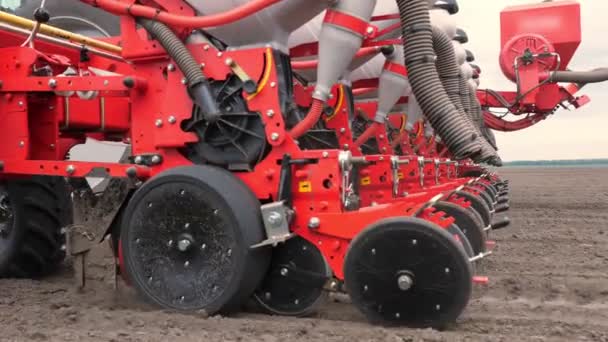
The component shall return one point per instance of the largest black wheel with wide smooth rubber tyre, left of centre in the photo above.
(186, 237)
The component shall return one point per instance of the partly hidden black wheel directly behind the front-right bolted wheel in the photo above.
(467, 223)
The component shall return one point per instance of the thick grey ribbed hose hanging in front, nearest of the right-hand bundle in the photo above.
(420, 60)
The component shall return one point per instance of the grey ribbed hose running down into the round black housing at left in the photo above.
(198, 85)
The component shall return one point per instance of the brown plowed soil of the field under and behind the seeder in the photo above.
(548, 281)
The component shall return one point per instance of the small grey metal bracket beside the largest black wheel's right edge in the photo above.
(276, 218)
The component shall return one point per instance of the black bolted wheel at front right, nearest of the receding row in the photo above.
(406, 271)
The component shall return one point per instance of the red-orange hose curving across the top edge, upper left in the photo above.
(237, 13)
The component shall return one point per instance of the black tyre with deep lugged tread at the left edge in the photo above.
(33, 212)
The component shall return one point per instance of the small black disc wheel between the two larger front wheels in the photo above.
(294, 284)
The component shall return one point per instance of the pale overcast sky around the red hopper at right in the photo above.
(566, 135)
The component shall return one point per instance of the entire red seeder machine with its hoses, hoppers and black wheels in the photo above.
(277, 150)
